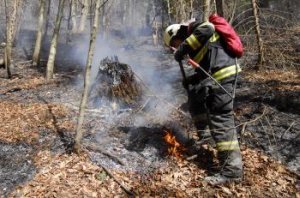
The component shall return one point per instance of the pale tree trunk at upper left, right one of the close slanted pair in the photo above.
(52, 53)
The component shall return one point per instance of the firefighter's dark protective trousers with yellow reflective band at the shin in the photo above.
(209, 105)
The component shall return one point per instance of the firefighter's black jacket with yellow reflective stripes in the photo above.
(206, 47)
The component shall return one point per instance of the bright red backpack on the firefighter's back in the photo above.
(228, 34)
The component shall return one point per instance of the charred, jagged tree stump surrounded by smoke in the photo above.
(115, 83)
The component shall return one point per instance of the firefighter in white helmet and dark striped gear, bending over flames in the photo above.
(209, 104)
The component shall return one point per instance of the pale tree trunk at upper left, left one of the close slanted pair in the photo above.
(38, 43)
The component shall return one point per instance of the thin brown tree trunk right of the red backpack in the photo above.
(258, 35)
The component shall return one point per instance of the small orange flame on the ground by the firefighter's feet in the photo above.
(175, 148)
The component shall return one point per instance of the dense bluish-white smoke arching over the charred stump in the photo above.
(154, 69)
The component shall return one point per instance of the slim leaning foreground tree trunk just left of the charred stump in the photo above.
(87, 78)
